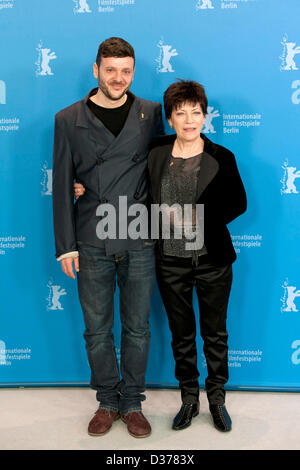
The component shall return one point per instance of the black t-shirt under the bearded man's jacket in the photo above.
(112, 118)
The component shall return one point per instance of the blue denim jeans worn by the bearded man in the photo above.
(134, 272)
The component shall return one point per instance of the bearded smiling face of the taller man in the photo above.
(114, 76)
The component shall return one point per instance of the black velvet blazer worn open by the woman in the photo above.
(219, 188)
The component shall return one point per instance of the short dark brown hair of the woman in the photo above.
(184, 91)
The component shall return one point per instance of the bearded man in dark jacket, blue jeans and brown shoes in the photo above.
(102, 141)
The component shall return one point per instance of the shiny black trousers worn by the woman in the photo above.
(176, 279)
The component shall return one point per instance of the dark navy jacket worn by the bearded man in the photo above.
(108, 167)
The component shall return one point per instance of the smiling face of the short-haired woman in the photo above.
(187, 121)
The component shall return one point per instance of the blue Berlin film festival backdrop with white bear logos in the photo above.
(247, 54)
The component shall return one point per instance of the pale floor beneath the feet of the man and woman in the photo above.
(57, 419)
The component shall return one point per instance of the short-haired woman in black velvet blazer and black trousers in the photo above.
(187, 168)
